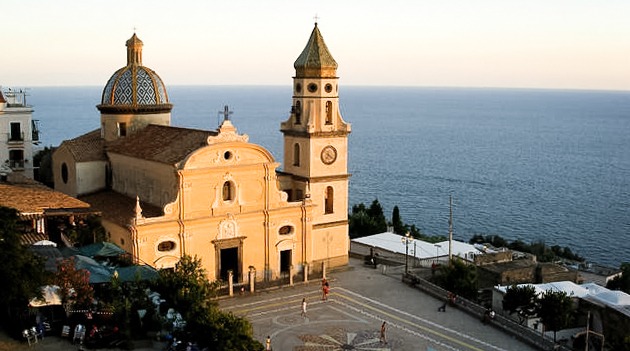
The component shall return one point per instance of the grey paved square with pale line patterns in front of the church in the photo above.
(360, 300)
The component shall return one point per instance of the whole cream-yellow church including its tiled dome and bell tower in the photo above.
(167, 191)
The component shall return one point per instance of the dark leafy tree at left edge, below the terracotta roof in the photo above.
(21, 271)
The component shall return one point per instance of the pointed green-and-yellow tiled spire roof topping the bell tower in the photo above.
(315, 57)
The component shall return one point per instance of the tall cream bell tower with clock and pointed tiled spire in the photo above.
(316, 150)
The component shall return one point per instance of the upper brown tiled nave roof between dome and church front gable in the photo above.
(163, 144)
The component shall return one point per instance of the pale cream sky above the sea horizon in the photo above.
(566, 44)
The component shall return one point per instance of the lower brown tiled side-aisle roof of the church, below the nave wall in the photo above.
(119, 208)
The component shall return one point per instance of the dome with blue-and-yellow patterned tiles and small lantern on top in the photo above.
(134, 88)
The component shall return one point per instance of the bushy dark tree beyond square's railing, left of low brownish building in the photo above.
(459, 278)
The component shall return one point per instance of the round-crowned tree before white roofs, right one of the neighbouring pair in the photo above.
(555, 309)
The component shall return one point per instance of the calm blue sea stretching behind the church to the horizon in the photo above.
(534, 165)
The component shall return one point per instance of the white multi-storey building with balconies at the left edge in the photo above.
(18, 133)
